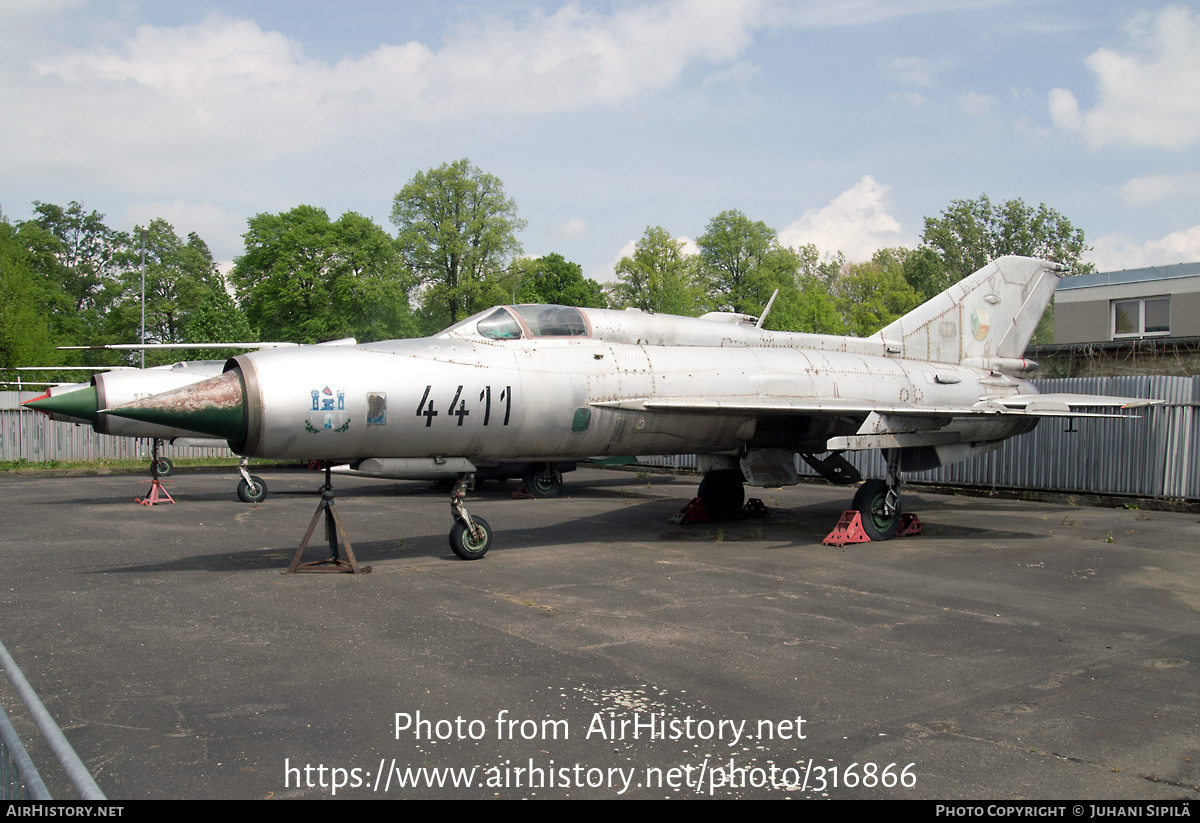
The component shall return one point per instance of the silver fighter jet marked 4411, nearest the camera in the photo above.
(554, 383)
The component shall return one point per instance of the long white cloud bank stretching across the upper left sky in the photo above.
(165, 104)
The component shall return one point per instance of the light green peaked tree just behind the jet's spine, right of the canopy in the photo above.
(659, 278)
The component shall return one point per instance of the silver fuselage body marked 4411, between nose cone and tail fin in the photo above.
(637, 385)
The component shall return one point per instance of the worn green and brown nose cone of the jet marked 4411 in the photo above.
(215, 407)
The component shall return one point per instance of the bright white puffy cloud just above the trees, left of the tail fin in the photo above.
(856, 224)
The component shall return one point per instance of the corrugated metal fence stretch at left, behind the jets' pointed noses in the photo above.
(28, 435)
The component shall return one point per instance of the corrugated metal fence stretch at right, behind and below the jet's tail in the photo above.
(1156, 455)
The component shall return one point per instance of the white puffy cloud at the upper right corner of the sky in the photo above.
(1148, 99)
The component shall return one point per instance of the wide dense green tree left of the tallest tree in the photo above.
(305, 279)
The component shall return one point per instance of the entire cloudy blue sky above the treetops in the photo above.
(839, 123)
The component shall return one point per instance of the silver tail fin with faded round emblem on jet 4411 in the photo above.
(989, 316)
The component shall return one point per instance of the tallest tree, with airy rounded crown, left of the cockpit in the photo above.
(457, 235)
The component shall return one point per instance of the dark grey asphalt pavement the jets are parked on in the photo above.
(1015, 651)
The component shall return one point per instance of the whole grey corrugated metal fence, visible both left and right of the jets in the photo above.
(1156, 455)
